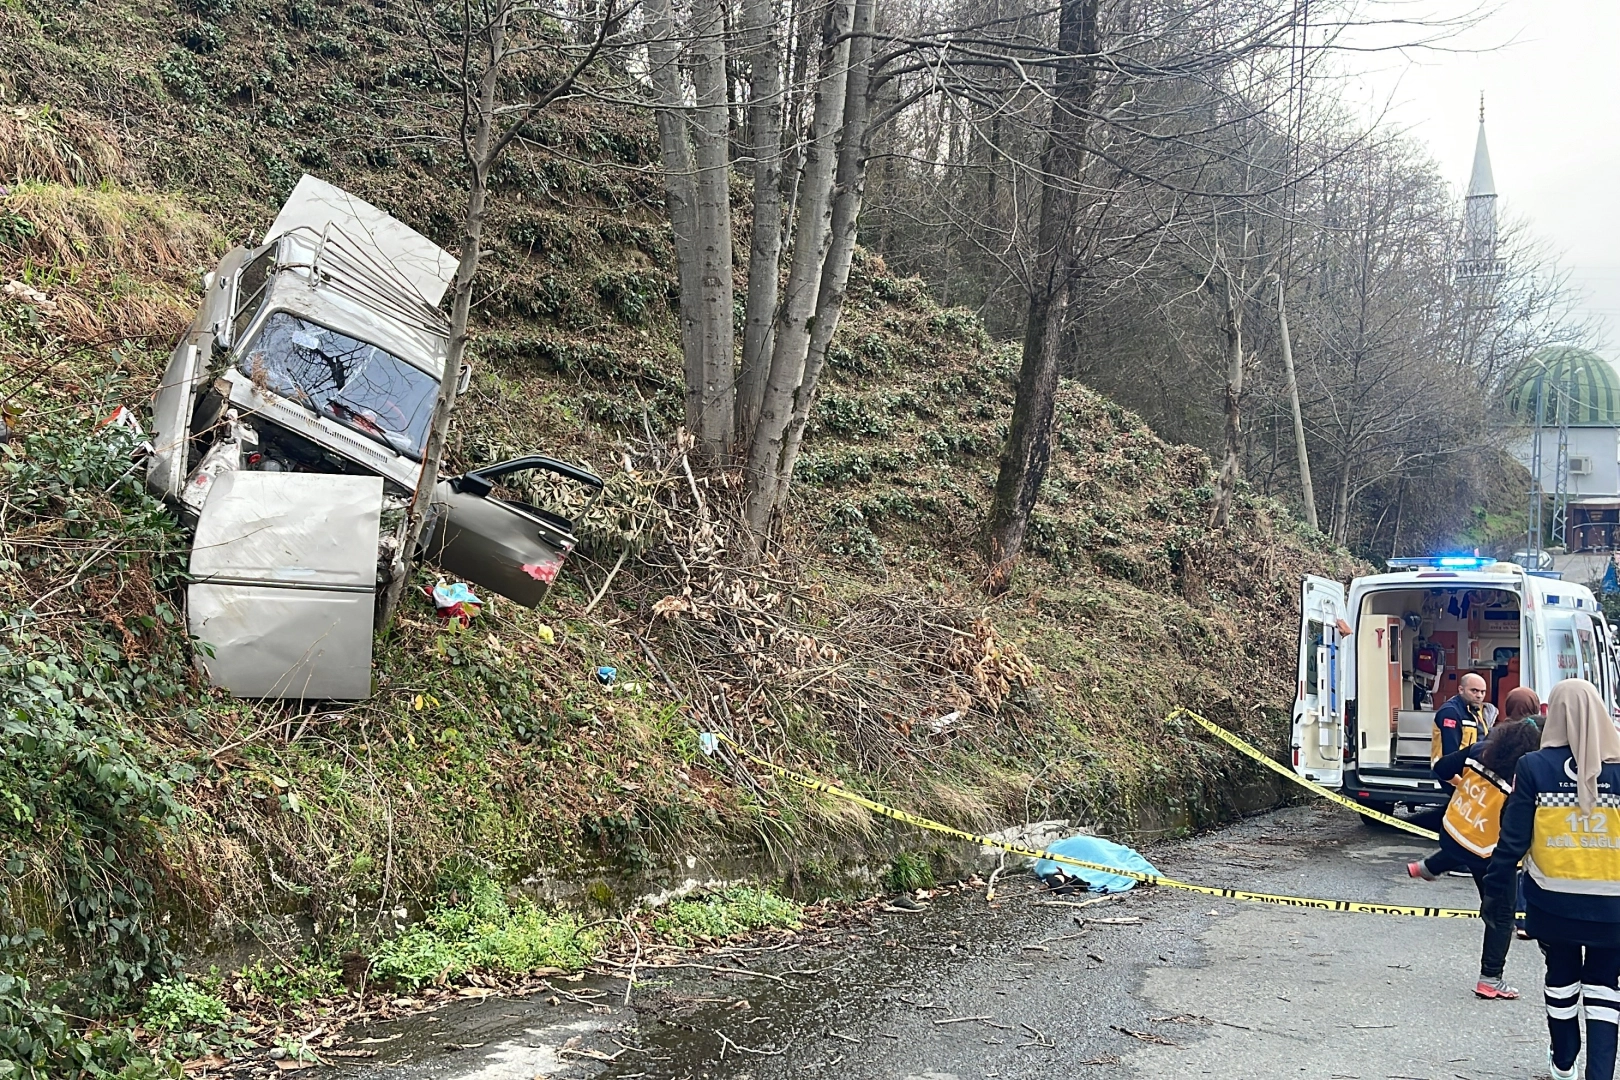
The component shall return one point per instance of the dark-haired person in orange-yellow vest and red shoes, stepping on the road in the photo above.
(1469, 836)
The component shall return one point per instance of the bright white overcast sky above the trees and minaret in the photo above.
(1551, 75)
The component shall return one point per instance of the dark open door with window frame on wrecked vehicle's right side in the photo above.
(488, 532)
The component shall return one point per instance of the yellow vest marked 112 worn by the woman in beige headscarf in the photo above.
(1574, 851)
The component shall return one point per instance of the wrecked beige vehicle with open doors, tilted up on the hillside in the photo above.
(291, 428)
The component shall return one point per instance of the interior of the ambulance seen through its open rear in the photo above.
(1412, 650)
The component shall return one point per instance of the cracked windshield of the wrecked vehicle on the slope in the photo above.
(333, 375)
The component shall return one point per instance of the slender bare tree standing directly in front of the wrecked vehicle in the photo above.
(477, 45)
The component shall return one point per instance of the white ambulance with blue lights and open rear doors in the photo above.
(1379, 658)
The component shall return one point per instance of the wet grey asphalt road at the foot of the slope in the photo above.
(1196, 989)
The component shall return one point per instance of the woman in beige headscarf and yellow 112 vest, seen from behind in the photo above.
(1564, 822)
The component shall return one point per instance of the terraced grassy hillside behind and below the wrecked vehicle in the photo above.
(150, 138)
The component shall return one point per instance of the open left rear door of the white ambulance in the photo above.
(1319, 704)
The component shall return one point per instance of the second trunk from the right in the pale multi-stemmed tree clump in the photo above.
(804, 278)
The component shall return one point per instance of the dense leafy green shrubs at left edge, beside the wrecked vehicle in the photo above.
(83, 799)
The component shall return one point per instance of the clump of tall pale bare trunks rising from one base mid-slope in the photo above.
(787, 326)
